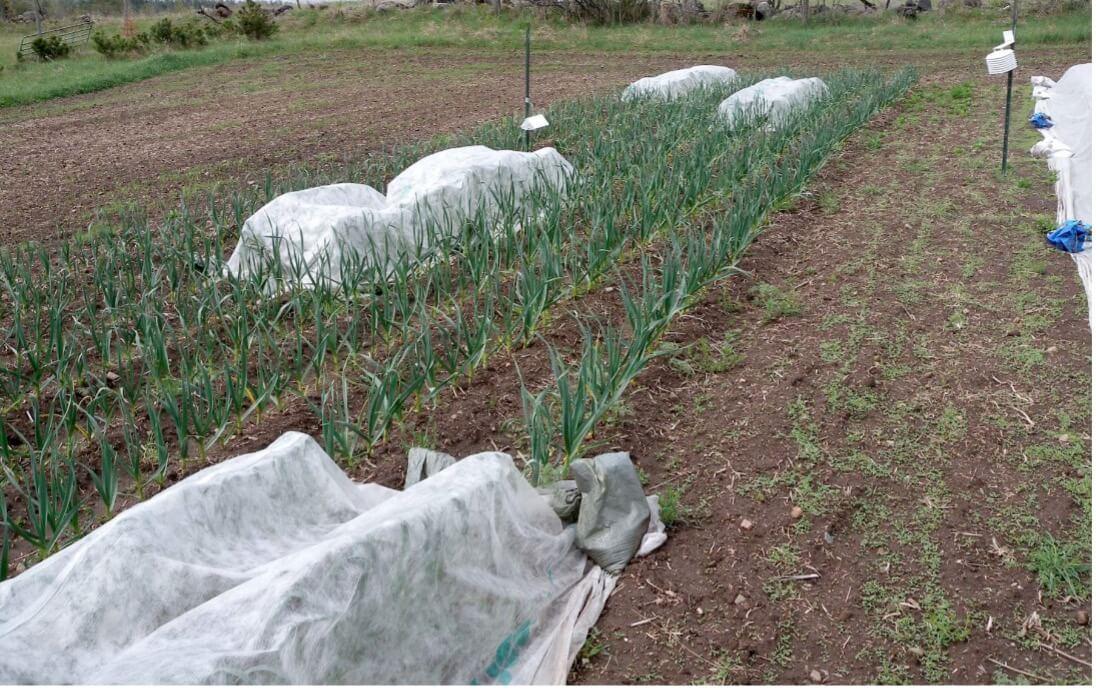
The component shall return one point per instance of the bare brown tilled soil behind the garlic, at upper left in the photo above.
(178, 134)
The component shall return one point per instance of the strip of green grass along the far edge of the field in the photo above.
(478, 29)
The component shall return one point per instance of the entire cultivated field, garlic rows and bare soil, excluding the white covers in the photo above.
(869, 418)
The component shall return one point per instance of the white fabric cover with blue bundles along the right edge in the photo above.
(1068, 148)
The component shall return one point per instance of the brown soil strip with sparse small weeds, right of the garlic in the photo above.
(906, 428)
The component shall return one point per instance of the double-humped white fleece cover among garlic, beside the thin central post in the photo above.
(312, 231)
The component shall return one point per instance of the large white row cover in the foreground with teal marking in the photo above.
(275, 568)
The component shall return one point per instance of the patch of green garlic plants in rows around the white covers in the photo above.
(131, 352)
